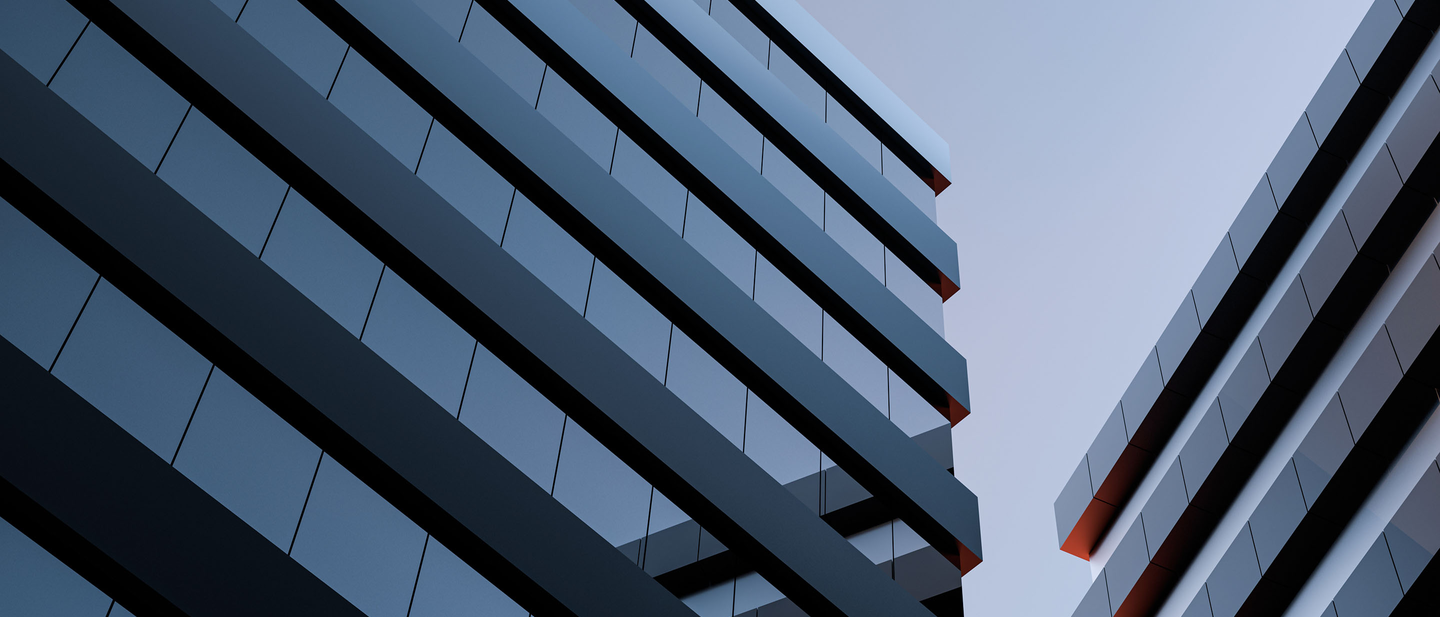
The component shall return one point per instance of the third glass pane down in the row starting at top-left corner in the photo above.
(224, 181)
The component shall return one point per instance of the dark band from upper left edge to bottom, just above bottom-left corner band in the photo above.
(163, 253)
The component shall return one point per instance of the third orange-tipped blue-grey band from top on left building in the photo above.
(630, 97)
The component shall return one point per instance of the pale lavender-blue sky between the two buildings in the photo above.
(1099, 152)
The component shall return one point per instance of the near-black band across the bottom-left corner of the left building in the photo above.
(113, 511)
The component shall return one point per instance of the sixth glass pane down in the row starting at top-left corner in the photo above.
(513, 419)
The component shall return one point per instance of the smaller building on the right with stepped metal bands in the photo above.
(1277, 452)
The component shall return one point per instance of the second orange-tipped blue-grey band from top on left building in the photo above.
(801, 136)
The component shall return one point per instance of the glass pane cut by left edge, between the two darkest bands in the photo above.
(42, 288)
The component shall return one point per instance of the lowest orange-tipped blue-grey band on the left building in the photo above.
(474, 105)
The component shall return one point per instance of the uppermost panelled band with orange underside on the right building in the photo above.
(1301, 178)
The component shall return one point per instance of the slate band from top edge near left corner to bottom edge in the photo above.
(279, 117)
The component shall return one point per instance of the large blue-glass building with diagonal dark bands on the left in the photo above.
(503, 308)
